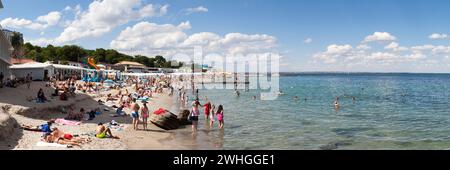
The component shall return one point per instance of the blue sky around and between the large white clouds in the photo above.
(290, 22)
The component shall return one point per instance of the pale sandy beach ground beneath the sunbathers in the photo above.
(20, 111)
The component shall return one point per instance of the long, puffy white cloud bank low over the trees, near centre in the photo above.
(153, 39)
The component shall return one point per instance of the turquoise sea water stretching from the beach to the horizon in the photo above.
(391, 111)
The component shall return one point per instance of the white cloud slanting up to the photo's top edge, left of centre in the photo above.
(103, 16)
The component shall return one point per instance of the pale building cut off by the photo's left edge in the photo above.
(6, 50)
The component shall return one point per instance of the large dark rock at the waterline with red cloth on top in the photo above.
(164, 119)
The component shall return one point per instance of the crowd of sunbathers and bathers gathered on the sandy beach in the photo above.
(142, 90)
